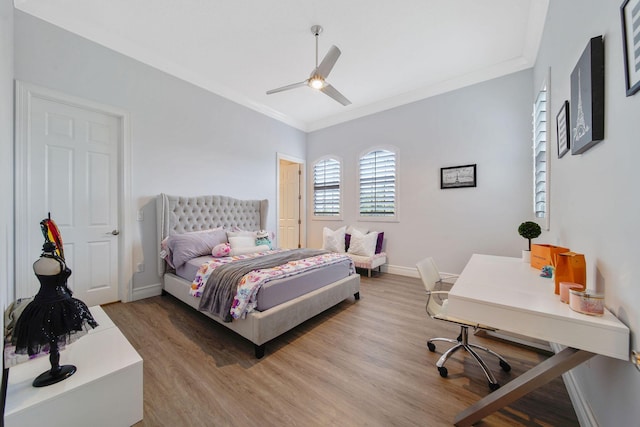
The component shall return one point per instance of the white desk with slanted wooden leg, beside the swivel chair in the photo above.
(508, 294)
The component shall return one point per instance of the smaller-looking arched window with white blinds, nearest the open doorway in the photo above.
(326, 188)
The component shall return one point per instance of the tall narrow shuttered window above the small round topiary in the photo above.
(540, 154)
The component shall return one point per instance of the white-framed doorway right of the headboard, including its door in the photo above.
(291, 211)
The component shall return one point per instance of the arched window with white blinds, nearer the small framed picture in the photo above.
(378, 184)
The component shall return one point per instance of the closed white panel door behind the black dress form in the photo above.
(73, 175)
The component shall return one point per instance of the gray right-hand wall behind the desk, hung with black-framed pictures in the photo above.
(594, 203)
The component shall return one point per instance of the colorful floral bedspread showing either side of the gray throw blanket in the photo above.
(245, 299)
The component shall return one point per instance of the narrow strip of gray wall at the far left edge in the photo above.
(6, 153)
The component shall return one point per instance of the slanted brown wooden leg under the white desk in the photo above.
(535, 377)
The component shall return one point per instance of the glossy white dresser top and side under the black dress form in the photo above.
(105, 391)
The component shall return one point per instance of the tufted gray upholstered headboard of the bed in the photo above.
(178, 214)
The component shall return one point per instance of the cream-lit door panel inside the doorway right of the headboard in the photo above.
(289, 209)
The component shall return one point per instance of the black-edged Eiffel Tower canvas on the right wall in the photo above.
(587, 98)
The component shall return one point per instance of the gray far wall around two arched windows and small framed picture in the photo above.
(488, 124)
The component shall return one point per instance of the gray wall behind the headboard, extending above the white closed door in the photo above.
(184, 140)
